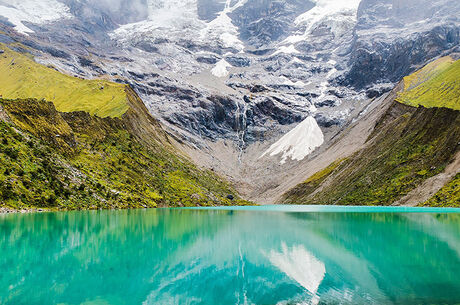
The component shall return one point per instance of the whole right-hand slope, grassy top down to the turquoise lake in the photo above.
(408, 146)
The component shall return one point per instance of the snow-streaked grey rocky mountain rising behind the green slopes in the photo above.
(234, 80)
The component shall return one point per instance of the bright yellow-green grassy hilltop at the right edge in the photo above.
(435, 85)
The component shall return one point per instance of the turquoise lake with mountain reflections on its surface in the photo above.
(259, 255)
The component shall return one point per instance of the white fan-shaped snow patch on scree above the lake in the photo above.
(299, 142)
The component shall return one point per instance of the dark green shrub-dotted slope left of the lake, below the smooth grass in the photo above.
(78, 161)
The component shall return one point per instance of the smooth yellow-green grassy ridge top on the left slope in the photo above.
(22, 77)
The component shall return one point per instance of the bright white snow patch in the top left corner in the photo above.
(33, 11)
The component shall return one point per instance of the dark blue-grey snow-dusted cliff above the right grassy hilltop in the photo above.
(392, 39)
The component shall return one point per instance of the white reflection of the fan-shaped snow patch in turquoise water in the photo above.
(301, 266)
